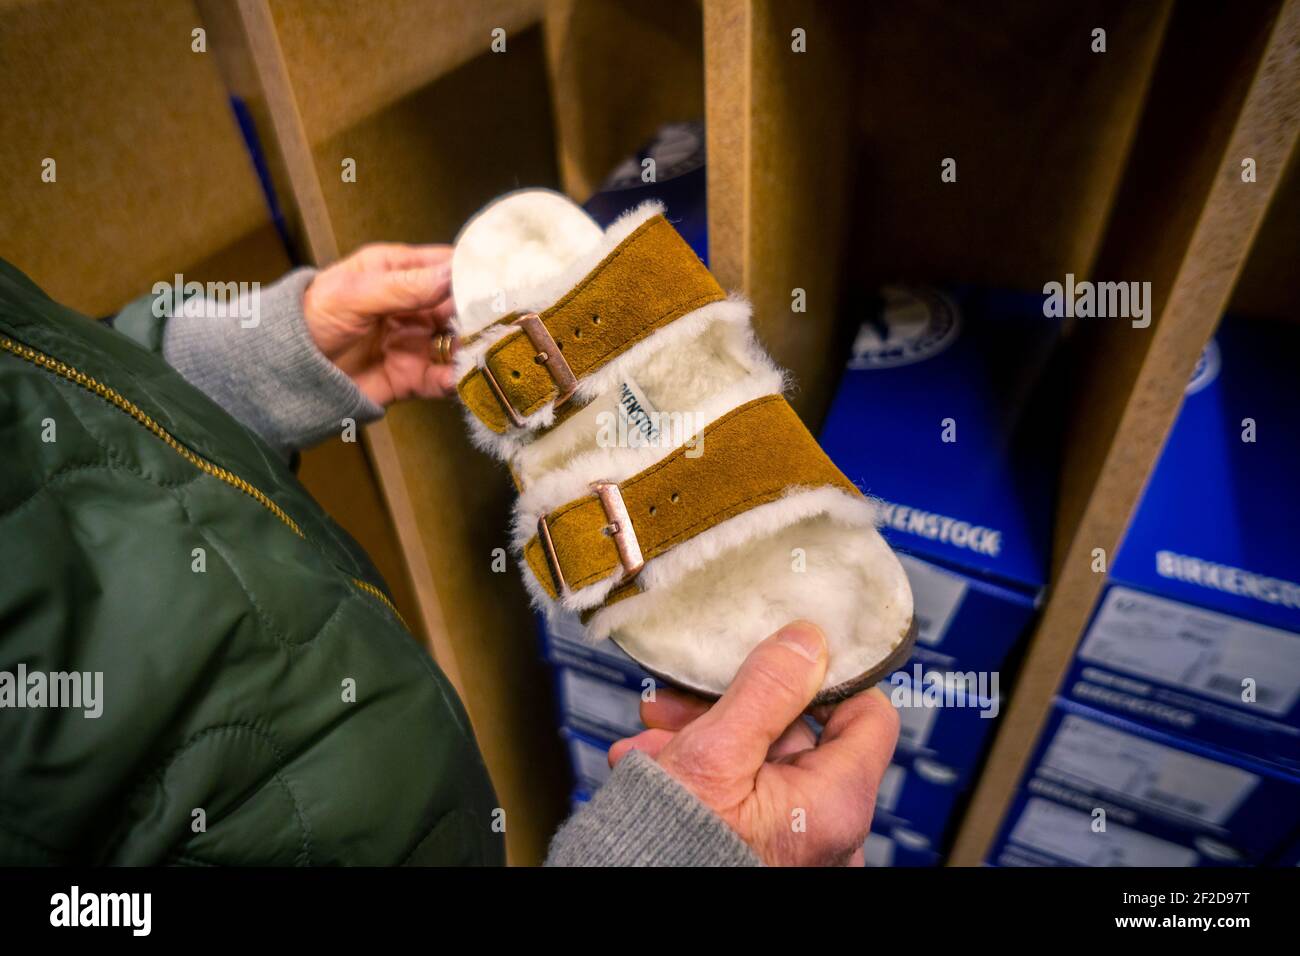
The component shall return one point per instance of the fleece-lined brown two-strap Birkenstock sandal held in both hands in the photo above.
(666, 490)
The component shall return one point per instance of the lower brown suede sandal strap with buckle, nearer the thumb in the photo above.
(749, 457)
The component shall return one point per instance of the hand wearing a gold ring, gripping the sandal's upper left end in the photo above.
(384, 317)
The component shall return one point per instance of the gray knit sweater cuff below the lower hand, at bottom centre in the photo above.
(643, 817)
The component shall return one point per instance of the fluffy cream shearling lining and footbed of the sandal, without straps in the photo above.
(705, 604)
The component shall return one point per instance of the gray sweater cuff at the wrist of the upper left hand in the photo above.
(261, 365)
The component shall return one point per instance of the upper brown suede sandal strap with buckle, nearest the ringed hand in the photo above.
(651, 280)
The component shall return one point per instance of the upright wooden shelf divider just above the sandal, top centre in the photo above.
(781, 168)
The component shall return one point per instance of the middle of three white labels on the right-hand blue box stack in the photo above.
(1149, 773)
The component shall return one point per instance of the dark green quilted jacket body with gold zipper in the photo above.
(259, 700)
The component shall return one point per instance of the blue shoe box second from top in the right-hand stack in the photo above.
(1224, 804)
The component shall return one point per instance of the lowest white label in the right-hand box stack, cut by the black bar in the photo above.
(1068, 834)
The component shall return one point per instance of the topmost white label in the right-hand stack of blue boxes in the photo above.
(1202, 651)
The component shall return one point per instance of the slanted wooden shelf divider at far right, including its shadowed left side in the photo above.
(1186, 220)
